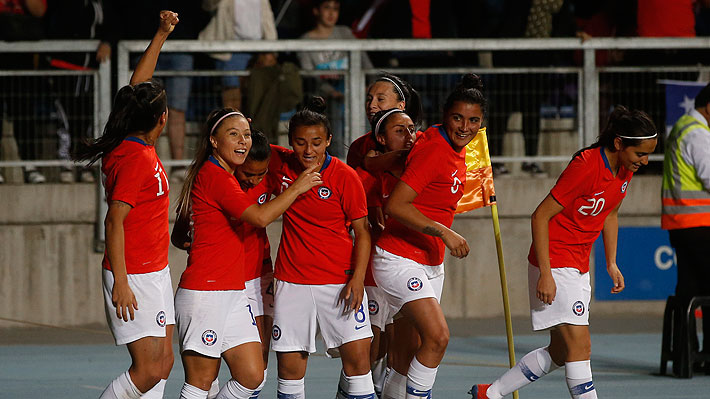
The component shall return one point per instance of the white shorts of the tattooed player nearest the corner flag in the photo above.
(404, 280)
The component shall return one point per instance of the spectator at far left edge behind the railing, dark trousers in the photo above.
(20, 20)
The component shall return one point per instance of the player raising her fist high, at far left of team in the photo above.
(136, 276)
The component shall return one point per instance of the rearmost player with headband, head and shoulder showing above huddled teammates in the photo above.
(387, 92)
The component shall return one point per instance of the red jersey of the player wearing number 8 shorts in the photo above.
(316, 246)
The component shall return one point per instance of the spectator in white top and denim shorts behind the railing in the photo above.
(237, 20)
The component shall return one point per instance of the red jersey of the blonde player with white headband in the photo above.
(216, 260)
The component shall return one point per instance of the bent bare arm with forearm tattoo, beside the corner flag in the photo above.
(401, 207)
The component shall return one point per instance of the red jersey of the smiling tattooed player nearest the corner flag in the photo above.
(437, 174)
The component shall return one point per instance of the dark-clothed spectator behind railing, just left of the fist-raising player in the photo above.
(79, 20)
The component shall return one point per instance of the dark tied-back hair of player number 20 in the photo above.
(623, 122)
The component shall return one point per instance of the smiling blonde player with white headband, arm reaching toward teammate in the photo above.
(214, 317)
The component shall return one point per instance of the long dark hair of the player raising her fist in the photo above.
(135, 109)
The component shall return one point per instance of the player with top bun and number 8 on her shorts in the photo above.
(319, 272)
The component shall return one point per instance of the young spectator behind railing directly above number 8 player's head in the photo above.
(332, 87)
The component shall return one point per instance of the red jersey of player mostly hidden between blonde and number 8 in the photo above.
(257, 251)
